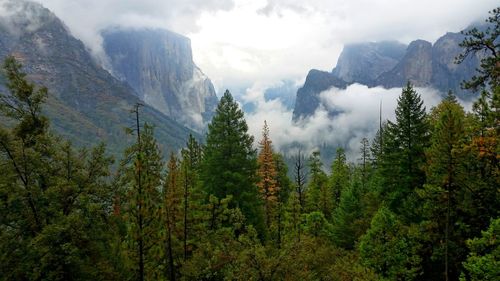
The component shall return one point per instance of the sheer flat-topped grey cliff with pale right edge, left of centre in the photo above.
(158, 65)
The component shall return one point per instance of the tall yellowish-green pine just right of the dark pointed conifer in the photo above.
(443, 189)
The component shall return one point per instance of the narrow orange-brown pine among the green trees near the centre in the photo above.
(267, 176)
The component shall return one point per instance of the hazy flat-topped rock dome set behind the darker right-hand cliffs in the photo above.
(364, 62)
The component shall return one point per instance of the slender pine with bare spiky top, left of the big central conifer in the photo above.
(140, 177)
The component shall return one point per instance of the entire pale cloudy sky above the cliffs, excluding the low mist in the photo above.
(238, 43)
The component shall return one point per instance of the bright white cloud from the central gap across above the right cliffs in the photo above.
(282, 39)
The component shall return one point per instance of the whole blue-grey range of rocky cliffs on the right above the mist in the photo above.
(390, 65)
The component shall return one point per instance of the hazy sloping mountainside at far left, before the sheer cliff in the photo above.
(86, 104)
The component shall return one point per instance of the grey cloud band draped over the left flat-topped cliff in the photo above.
(86, 18)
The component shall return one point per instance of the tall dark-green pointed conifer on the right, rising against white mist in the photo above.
(403, 153)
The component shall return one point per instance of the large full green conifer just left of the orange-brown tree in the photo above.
(229, 165)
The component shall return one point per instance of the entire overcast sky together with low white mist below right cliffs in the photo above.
(248, 46)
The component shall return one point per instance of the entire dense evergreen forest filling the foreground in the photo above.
(421, 203)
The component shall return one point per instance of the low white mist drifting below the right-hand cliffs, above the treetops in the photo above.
(359, 118)
